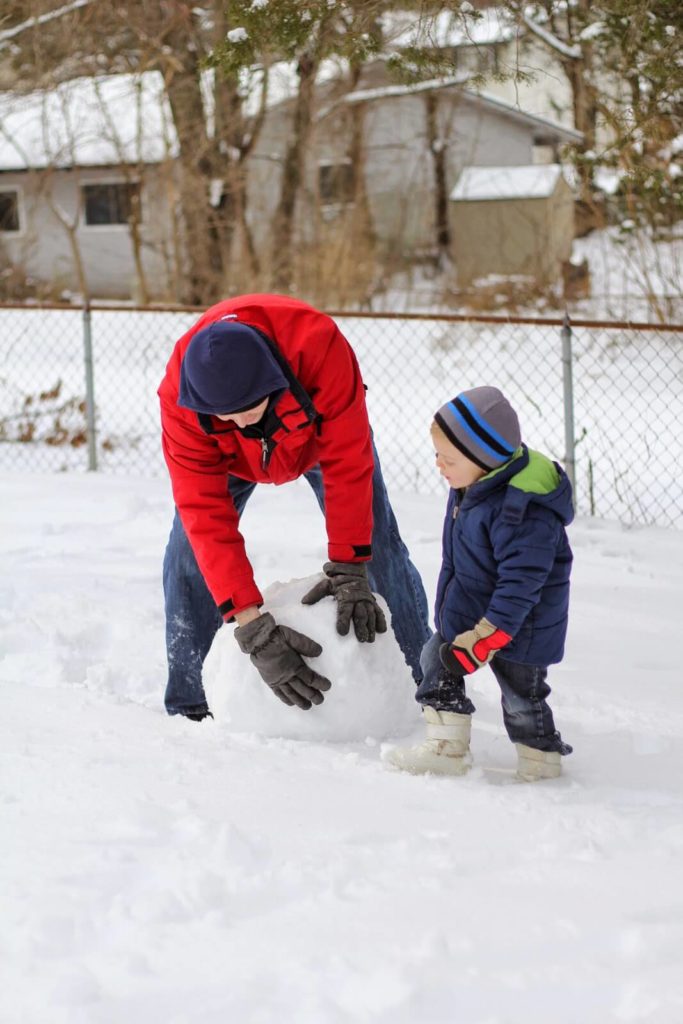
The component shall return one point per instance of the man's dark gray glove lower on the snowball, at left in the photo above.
(277, 651)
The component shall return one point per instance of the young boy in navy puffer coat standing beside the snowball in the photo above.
(503, 592)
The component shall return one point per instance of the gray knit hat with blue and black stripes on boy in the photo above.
(483, 425)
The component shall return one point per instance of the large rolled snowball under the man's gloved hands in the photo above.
(373, 692)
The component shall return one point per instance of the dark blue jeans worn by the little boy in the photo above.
(527, 716)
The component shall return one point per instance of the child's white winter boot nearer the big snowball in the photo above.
(446, 751)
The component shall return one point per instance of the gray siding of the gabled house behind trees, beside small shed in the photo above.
(399, 165)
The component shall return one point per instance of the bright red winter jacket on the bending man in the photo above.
(200, 462)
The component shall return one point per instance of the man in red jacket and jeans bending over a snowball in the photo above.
(266, 390)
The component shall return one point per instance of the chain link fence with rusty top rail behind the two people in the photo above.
(605, 399)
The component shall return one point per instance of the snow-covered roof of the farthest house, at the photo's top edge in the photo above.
(446, 30)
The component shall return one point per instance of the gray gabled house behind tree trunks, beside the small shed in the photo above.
(415, 141)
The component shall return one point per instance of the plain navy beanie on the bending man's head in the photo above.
(228, 368)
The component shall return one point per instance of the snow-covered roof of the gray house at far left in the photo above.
(89, 122)
